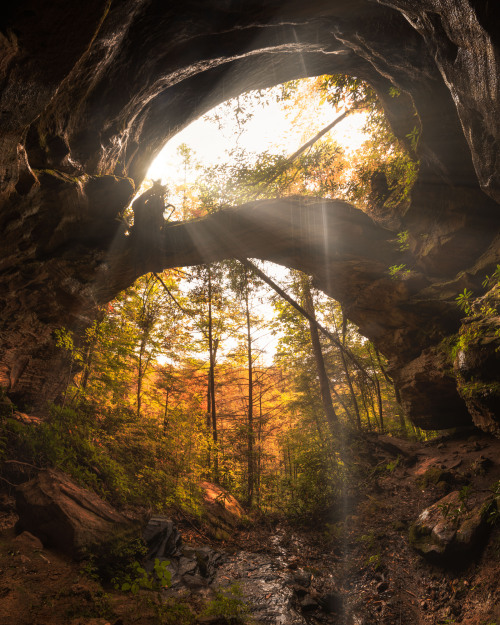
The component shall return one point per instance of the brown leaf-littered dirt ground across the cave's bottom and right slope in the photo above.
(364, 565)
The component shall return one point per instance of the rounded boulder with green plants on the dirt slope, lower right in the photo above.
(450, 530)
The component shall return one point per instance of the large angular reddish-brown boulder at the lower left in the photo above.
(66, 516)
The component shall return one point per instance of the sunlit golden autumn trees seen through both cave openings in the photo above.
(208, 373)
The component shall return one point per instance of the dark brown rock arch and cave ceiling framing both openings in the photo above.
(90, 94)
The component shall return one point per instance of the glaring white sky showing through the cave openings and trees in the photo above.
(274, 127)
